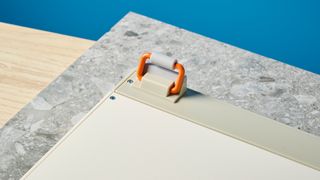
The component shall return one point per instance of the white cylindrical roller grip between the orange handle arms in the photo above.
(163, 61)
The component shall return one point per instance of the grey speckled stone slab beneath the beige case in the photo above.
(253, 82)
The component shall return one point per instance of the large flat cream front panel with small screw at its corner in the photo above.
(123, 139)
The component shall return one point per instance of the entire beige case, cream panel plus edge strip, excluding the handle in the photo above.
(141, 136)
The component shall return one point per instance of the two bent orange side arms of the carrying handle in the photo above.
(175, 89)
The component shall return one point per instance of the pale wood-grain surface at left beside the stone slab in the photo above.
(29, 60)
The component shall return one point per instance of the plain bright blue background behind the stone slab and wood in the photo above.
(288, 31)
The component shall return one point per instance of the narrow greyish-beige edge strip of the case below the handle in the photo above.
(236, 122)
